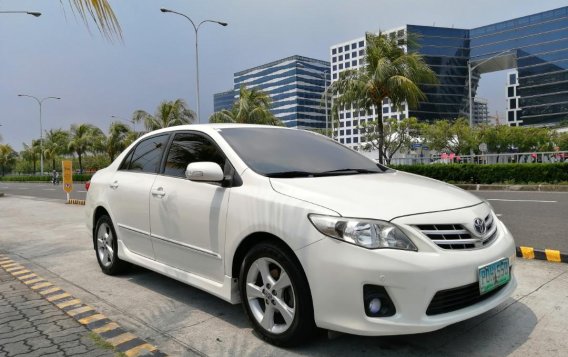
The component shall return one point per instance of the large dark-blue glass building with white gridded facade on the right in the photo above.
(536, 46)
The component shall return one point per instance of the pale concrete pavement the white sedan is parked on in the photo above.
(50, 238)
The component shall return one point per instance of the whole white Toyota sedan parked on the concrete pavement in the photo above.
(303, 231)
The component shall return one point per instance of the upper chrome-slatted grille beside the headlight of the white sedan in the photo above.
(456, 236)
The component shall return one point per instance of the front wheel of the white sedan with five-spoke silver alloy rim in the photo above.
(278, 305)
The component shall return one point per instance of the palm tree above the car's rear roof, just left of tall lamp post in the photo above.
(168, 113)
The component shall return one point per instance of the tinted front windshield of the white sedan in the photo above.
(277, 152)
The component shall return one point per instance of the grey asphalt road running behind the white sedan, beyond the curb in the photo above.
(536, 219)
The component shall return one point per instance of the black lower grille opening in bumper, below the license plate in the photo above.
(458, 298)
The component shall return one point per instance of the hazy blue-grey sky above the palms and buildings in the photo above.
(55, 55)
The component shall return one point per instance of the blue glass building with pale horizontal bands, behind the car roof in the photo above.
(295, 84)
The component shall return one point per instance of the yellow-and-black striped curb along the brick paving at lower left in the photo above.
(122, 340)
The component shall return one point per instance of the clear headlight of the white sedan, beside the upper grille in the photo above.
(371, 234)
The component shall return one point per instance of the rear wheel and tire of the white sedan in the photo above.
(106, 247)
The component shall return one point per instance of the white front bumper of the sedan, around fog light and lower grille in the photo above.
(337, 272)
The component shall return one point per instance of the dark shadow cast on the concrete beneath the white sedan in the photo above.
(499, 331)
